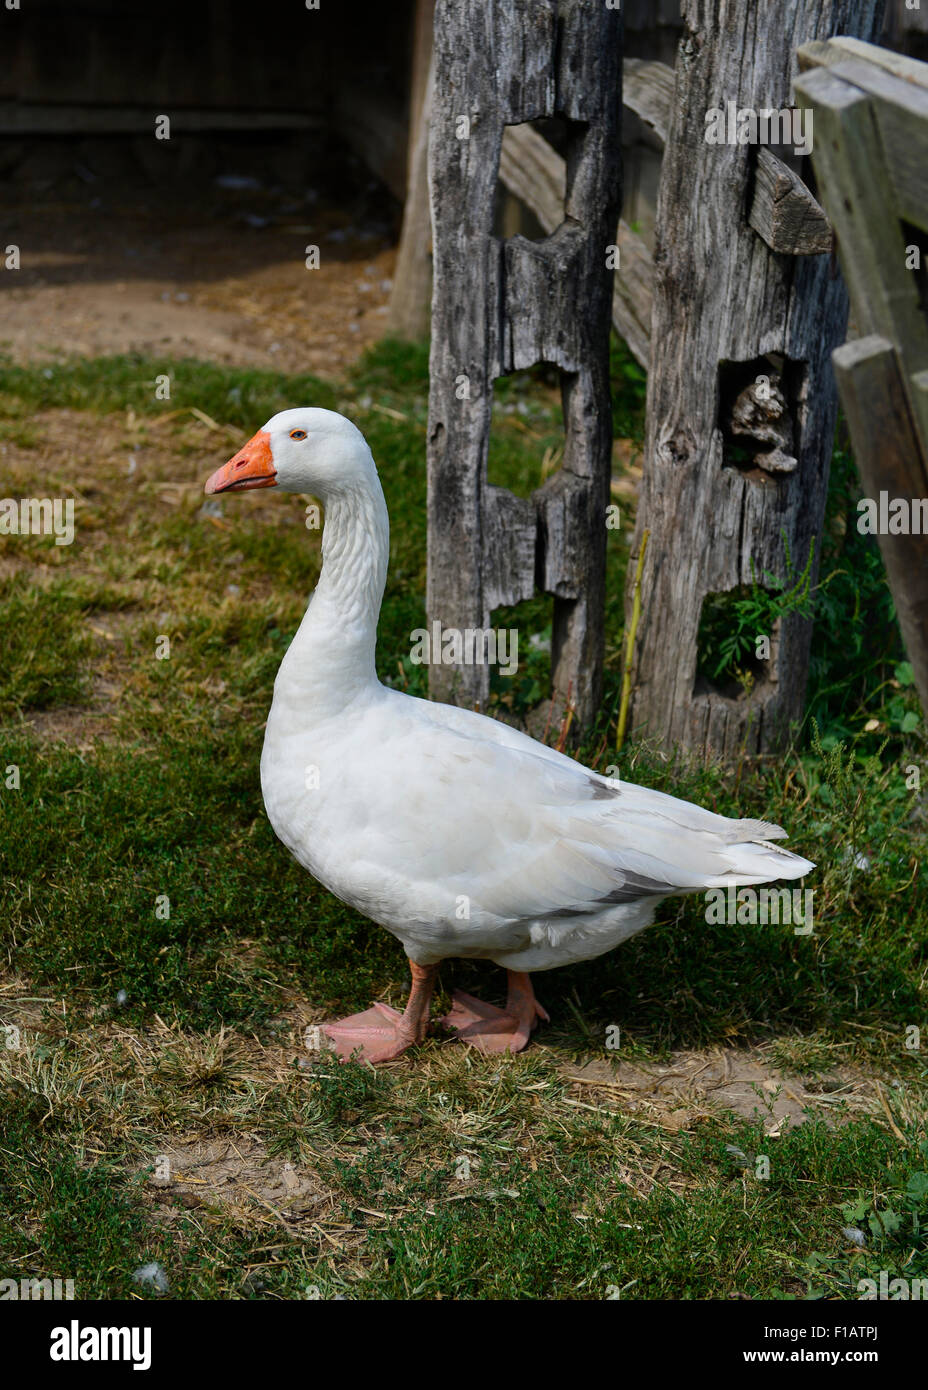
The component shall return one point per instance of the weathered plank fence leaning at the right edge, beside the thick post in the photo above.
(872, 159)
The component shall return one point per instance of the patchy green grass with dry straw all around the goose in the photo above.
(163, 956)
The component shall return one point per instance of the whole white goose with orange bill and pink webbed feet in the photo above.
(459, 835)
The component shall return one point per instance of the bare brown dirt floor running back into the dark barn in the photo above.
(209, 263)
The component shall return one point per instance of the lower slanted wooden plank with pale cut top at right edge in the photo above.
(890, 461)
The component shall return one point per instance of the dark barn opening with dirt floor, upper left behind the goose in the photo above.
(288, 130)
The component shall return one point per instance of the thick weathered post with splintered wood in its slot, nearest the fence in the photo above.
(733, 464)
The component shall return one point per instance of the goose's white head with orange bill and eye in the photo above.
(309, 451)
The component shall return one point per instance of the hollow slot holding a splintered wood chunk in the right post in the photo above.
(759, 409)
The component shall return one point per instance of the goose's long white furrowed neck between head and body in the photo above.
(330, 662)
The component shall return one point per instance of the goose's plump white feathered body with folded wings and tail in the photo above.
(465, 837)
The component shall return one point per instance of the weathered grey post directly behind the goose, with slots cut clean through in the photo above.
(501, 306)
